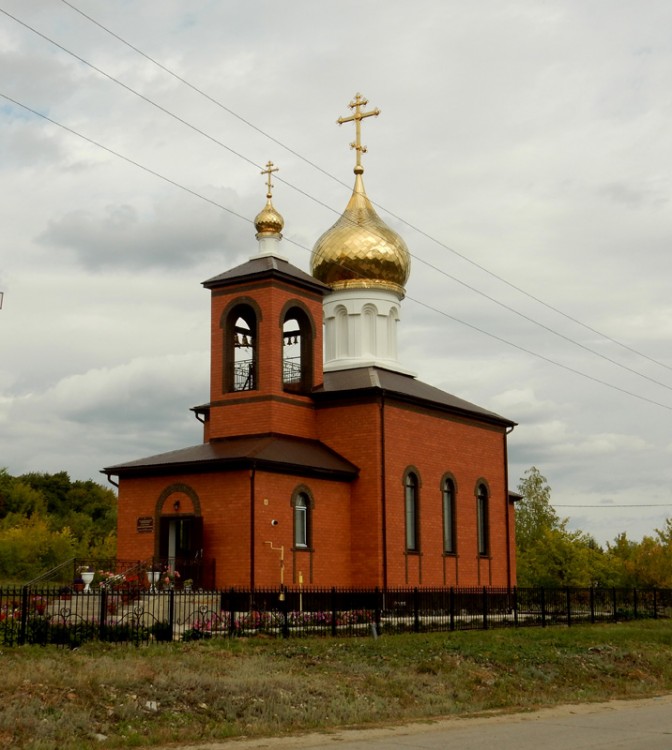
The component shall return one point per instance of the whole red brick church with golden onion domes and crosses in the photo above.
(324, 462)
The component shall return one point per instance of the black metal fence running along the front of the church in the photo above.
(29, 615)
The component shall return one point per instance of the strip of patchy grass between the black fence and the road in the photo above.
(117, 696)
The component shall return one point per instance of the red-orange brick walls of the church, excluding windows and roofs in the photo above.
(348, 542)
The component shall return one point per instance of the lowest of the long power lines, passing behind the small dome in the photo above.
(303, 247)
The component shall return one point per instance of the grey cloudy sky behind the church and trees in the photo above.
(523, 152)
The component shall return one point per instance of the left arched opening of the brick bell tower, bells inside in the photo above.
(240, 325)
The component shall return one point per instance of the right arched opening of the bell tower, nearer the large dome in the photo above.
(297, 350)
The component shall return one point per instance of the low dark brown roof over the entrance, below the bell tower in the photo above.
(279, 453)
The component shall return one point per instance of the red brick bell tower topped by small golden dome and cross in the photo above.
(266, 340)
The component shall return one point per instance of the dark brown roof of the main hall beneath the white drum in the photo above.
(374, 380)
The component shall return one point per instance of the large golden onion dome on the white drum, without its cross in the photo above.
(360, 250)
